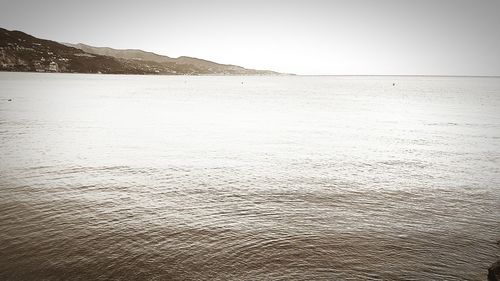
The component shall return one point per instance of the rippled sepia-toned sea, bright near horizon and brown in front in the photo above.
(248, 178)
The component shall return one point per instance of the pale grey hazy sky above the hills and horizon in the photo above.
(454, 37)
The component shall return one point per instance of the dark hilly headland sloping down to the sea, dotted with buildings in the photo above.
(22, 52)
